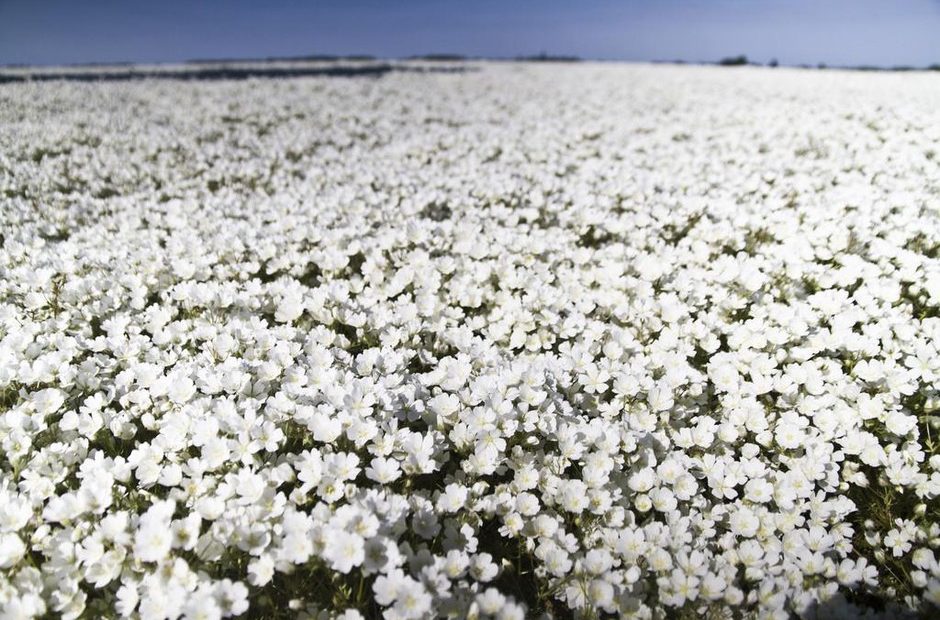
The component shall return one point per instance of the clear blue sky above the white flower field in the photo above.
(837, 32)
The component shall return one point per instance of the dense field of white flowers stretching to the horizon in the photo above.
(516, 340)
